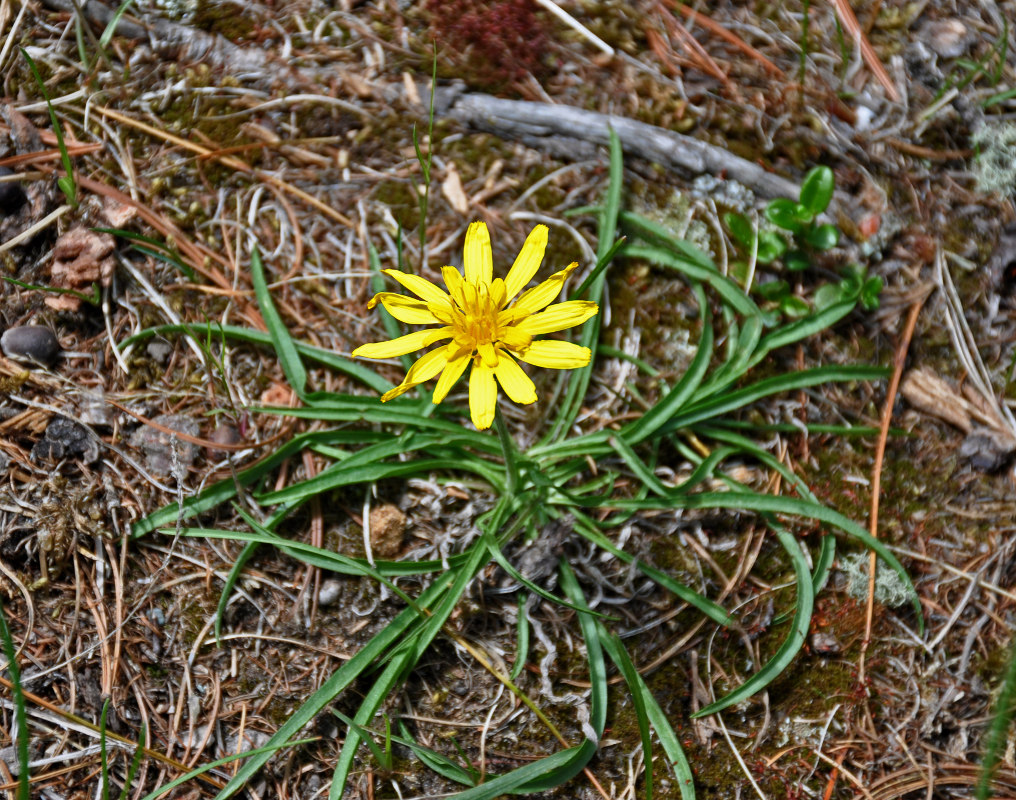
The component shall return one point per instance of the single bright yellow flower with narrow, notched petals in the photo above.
(483, 325)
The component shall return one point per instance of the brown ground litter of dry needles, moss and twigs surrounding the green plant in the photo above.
(199, 129)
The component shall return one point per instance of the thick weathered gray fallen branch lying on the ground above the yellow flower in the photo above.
(570, 133)
